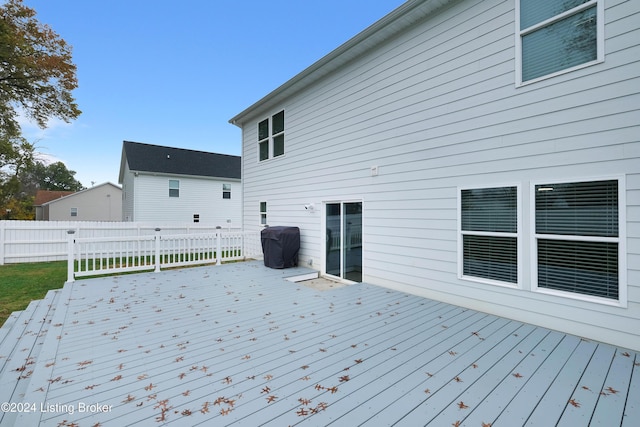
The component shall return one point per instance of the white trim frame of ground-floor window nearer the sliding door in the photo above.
(517, 235)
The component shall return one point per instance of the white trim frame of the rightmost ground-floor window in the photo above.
(621, 240)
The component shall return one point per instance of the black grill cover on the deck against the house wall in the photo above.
(280, 246)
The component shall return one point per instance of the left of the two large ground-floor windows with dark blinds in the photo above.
(489, 230)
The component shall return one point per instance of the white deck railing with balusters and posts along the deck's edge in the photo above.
(109, 255)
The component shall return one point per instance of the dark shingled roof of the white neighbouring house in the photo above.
(155, 158)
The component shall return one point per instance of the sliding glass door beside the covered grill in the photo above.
(344, 240)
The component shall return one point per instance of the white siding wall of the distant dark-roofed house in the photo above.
(197, 196)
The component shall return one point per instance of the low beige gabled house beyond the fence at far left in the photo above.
(99, 203)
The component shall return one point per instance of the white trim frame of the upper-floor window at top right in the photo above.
(520, 33)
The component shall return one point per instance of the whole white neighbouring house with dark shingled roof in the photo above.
(175, 184)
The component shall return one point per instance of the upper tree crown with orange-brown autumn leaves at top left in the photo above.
(37, 74)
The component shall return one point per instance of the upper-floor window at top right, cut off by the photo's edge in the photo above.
(556, 36)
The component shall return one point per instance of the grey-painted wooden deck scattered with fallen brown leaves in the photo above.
(238, 345)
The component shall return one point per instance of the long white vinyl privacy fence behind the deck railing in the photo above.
(38, 241)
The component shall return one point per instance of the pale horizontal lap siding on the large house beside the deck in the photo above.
(436, 108)
